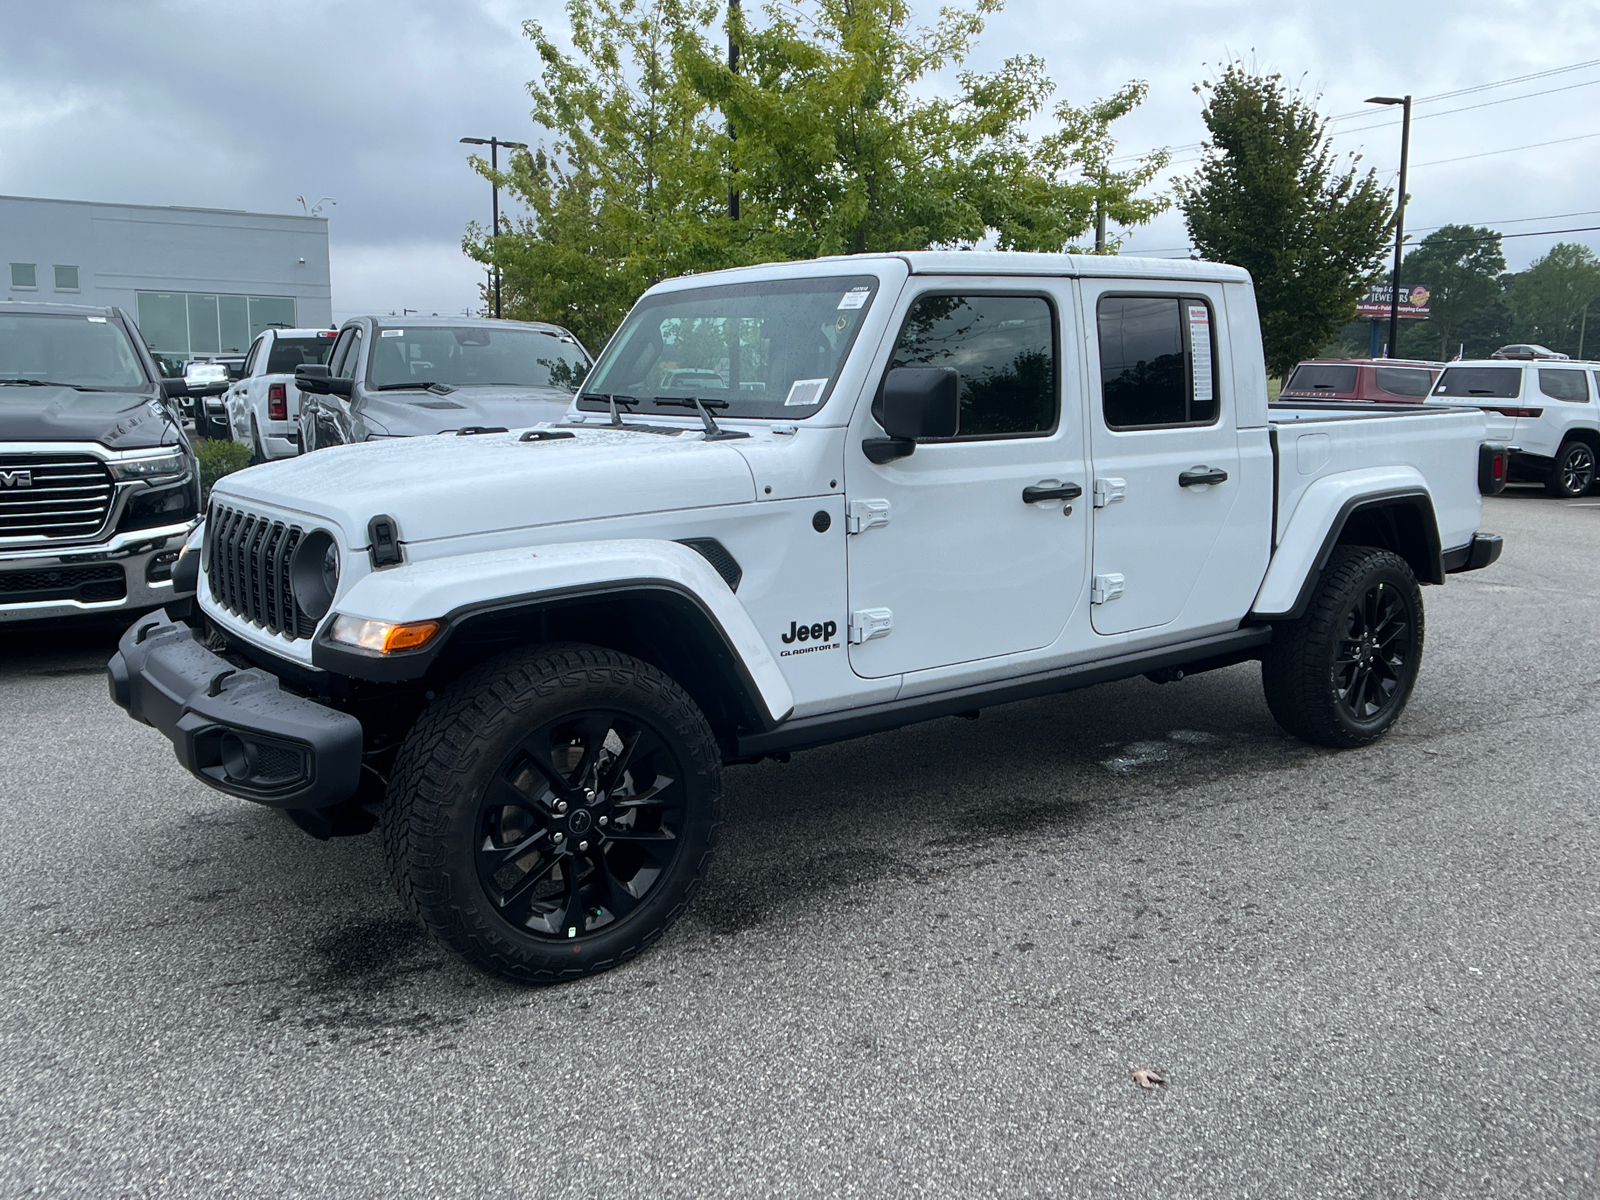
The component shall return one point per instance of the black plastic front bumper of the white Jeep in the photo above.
(234, 729)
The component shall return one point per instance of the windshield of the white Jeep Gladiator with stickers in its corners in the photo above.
(746, 350)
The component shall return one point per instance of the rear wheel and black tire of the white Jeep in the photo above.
(1342, 674)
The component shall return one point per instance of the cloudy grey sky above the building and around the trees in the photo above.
(241, 105)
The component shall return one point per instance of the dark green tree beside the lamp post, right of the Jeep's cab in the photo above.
(1270, 198)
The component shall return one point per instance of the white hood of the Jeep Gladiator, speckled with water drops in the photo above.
(450, 486)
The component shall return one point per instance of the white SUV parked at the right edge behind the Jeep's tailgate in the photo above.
(1546, 412)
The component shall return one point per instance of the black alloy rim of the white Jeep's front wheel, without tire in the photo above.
(580, 823)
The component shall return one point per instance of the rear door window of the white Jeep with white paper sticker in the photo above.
(1158, 361)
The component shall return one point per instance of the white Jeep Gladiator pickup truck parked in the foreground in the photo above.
(793, 505)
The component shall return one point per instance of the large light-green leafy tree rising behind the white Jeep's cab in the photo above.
(828, 132)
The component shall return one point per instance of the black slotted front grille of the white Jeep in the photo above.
(249, 570)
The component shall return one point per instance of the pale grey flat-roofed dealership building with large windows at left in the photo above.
(199, 281)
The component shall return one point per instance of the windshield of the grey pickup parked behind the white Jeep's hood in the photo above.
(476, 356)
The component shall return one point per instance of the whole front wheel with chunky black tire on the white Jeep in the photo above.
(444, 820)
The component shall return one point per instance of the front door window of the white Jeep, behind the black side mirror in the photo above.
(1004, 348)
